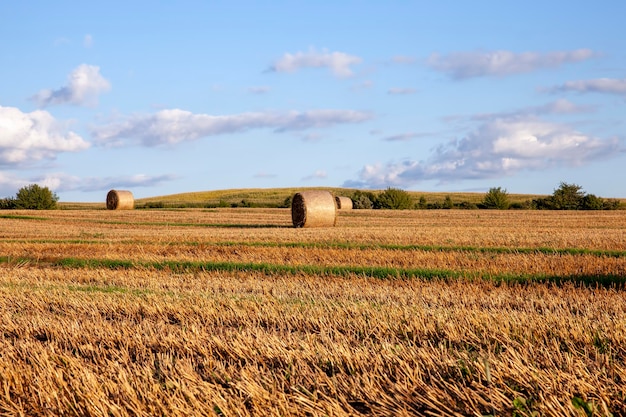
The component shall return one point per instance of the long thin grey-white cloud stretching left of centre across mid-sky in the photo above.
(168, 127)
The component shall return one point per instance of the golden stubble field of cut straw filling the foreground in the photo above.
(233, 312)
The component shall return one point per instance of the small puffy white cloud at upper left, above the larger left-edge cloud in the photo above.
(84, 85)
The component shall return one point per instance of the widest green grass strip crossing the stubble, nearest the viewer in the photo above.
(608, 280)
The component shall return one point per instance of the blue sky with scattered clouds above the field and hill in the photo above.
(167, 97)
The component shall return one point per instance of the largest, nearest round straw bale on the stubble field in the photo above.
(313, 209)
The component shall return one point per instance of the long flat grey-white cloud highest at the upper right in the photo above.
(462, 65)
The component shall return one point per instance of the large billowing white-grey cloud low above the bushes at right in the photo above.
(497, 148)
